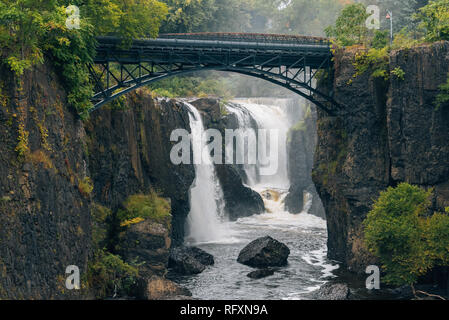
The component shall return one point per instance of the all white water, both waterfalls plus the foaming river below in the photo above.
(304, 234)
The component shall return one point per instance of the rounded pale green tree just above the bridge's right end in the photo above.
(350, 27)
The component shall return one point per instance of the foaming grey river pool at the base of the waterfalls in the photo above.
(307, 269)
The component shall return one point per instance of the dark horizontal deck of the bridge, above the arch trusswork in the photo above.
(187, 48)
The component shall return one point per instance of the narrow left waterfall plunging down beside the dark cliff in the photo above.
(206, 196)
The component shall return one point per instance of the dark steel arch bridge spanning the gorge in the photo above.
(289, 61)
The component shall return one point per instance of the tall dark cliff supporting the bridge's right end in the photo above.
(390, 132)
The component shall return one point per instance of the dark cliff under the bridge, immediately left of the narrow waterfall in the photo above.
(130, 153)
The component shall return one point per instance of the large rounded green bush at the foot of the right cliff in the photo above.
(399, 231)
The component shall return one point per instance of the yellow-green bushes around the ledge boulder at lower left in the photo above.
(110, 273)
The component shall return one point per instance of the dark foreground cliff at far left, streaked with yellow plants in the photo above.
(44, 213)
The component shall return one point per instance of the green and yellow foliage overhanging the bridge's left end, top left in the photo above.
(30, 30)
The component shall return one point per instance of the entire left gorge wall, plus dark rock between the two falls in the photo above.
(63, 181)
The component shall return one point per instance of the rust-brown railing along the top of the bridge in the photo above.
(247, 37)
